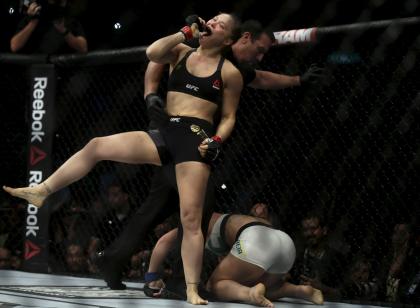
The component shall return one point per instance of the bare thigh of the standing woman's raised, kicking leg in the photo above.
(131, 147)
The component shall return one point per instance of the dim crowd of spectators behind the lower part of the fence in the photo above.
(324, 260)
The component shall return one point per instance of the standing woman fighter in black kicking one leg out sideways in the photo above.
(192, 101)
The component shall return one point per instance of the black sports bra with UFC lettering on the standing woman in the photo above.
(209, 88)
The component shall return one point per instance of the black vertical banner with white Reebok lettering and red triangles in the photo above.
(41, 132)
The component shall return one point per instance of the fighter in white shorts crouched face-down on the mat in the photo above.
(256, 259)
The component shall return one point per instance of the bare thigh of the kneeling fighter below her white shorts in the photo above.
(232, 268)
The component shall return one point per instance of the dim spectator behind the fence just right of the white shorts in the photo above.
(318, 264)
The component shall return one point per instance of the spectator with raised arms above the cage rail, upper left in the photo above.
(47, 29)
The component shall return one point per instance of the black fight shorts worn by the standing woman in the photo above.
(178, 141)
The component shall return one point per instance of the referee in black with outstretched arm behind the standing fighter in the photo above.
(250, 49)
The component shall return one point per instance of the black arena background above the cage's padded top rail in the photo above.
(146, 20)
